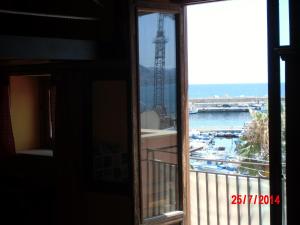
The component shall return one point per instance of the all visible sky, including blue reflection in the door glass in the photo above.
(227, 41)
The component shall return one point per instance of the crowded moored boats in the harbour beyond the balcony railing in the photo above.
(213, 150)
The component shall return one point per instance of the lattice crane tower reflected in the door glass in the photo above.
(159, 67)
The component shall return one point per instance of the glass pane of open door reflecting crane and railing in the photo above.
(158, 119)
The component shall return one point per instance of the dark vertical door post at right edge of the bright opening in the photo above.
(273, 104)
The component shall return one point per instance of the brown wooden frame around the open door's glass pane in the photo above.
(182, 80)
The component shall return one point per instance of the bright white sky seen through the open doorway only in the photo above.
(227, 42)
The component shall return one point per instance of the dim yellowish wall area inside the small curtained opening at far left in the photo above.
(25, 116)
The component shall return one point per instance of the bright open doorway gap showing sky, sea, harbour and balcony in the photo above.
(228, 107)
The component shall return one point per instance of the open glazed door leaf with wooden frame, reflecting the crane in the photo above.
(157, 99)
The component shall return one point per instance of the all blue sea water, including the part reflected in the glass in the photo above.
(208, 120)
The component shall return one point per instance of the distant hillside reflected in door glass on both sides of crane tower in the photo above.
(147, 77)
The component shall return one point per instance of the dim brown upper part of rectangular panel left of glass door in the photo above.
(110, 112)
